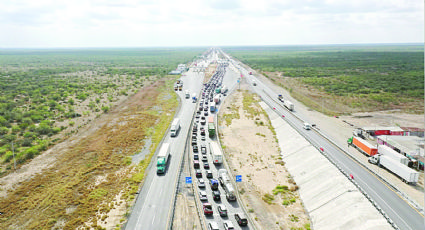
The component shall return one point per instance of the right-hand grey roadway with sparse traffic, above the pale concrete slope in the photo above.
(397, 209)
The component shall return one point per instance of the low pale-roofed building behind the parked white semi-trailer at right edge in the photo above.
(409, 146)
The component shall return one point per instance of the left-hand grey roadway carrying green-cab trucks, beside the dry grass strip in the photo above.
(154, 202)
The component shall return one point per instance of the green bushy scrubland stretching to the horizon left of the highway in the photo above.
(49, 94)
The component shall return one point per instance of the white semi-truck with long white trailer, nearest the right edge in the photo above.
(407, 174)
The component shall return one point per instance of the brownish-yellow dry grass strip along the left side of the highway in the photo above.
(88, 181)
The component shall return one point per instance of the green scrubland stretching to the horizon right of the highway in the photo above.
(344, 79)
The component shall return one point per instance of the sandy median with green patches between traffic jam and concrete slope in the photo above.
(251, 149)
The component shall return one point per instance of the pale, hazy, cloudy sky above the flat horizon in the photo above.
(165, 23)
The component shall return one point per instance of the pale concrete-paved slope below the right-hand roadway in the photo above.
(331, 200)
